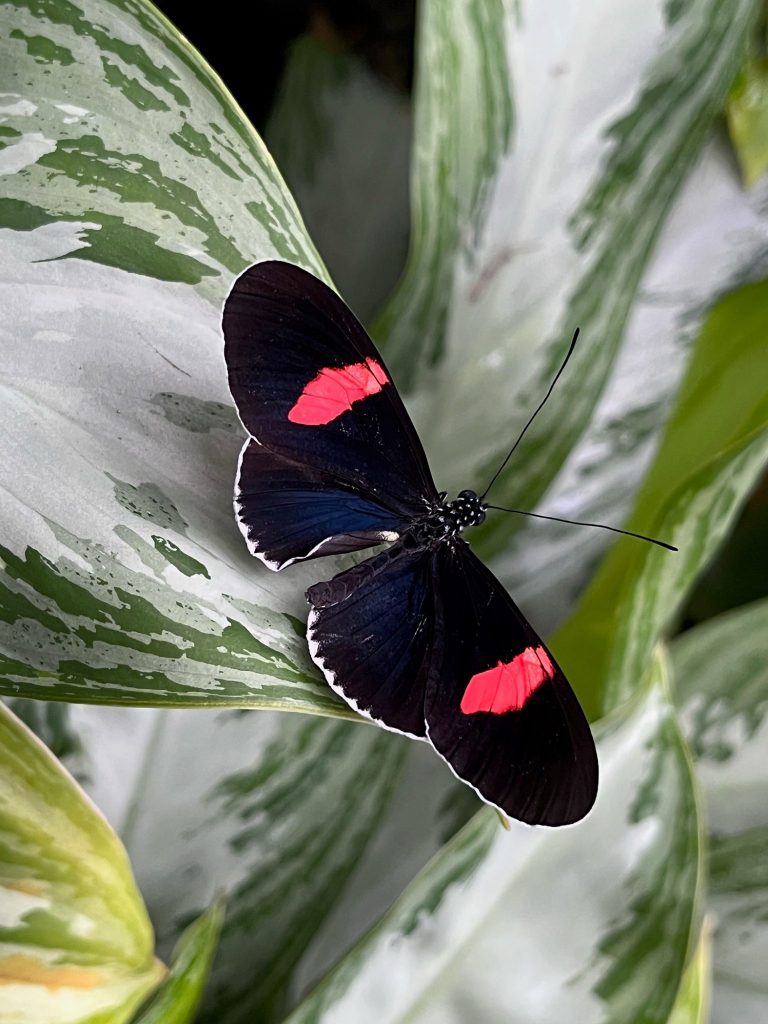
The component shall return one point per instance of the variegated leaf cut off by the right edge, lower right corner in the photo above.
(722, 682)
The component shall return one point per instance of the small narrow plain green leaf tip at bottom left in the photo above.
(180, 996)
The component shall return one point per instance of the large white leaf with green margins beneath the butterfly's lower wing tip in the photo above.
(468, 936)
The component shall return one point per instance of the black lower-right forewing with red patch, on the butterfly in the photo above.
(498, 707)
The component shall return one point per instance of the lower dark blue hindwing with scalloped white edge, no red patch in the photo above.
(370, 631)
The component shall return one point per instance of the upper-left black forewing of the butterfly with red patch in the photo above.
(311, 387)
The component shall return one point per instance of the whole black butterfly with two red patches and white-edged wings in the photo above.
(420, 637)
